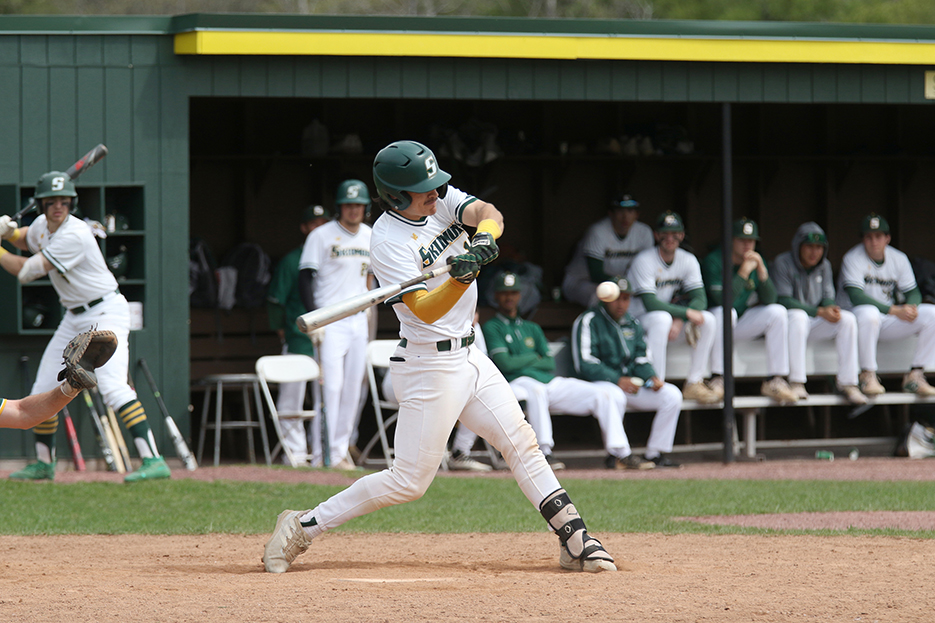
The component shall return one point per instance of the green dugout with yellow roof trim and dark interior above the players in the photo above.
(205, 115)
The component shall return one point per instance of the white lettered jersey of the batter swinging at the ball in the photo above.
(402, 249)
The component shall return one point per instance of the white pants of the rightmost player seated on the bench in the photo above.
(873, 326)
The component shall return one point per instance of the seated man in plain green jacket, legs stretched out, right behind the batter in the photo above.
(519, 348)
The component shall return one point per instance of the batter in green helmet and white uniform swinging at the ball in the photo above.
(438, 375)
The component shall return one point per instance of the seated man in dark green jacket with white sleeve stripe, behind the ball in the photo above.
(608, 349)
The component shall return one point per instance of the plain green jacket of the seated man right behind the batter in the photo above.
(519, 348)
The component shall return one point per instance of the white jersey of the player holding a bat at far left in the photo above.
(80, 274)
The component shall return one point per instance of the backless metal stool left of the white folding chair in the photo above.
(221, 383)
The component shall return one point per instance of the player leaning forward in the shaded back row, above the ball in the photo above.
(606, 249)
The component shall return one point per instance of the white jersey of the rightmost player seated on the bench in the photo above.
(883, 282)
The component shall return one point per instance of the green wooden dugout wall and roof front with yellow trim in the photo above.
(68, 83)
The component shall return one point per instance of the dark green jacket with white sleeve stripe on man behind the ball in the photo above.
(604, 349)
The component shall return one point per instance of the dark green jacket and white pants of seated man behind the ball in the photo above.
(603, 351)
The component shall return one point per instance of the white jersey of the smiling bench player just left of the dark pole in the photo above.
(648, 274)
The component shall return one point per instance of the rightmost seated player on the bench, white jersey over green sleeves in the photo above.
(878, 285)
